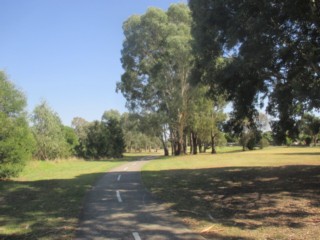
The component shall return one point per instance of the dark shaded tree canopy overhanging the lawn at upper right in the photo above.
(272, 50)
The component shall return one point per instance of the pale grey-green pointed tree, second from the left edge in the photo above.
(49, 135)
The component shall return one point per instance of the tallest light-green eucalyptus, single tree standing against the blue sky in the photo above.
(157, 59)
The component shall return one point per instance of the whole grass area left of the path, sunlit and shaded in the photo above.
(45, 202)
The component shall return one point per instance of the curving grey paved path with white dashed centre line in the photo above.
(119, 207)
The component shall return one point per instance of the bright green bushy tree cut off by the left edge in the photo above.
(16, 141)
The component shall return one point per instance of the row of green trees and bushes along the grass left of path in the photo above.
(42, 135)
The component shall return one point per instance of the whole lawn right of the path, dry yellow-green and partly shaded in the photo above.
(272, 193)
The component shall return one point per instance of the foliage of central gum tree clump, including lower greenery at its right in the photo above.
(157, 58)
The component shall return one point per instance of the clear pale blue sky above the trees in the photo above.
(67, 52)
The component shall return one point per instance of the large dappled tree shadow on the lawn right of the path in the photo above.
(246, 198)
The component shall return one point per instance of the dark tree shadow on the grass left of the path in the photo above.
(45, 208)
